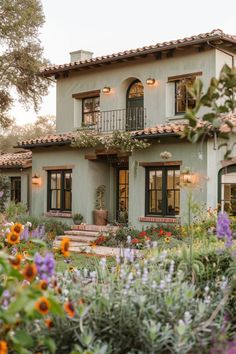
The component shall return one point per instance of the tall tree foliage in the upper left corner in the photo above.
(21, 55)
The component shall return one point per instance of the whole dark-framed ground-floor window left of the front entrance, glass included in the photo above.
(59, 190)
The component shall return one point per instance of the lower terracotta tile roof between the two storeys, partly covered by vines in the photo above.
(172, 128)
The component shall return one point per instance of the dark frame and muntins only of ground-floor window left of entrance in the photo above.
(62, 190)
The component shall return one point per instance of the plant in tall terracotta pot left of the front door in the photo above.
(100, 213)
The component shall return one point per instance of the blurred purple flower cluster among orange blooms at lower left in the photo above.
(45, 265)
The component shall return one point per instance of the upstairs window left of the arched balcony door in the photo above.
(90, 110)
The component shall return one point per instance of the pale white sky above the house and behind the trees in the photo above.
(107, 26)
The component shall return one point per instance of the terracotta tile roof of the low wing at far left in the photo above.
(11, 160)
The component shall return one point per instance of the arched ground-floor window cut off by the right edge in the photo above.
(227, 189)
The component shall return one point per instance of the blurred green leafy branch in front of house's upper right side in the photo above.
(220, 101)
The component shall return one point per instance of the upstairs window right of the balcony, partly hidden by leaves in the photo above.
(183, 99)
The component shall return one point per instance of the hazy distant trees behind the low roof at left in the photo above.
(14, 133)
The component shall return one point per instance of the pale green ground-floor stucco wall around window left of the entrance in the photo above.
(86, 177)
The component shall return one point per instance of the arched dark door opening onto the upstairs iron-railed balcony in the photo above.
(134, 106)
